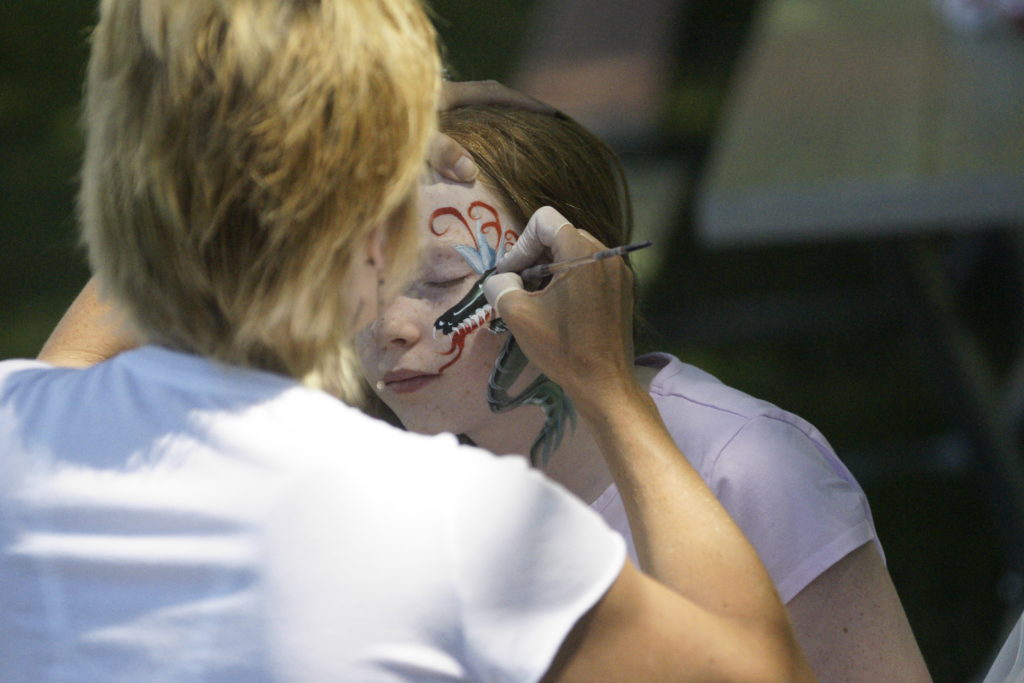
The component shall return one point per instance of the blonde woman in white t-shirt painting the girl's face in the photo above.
(196, 509)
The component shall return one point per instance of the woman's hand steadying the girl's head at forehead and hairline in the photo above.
(448, 157)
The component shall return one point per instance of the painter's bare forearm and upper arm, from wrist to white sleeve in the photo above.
(712, 614)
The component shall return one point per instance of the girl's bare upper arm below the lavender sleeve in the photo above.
(851, 624)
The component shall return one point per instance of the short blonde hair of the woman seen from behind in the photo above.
(240, 156)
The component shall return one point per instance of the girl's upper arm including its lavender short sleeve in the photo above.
(843, 606)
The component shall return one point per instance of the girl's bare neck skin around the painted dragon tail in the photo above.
(577, 465)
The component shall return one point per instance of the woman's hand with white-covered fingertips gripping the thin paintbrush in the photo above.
(578, 330)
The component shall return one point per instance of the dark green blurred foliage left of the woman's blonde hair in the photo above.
(44, 49)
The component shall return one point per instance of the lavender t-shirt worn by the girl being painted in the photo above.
(774, 472)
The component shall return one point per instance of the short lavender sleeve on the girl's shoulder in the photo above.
(794, 499)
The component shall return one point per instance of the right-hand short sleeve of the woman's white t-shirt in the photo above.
(532, 561)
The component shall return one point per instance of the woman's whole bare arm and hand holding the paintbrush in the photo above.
(713, 611)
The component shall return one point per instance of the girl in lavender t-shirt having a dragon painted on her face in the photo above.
(776, 474)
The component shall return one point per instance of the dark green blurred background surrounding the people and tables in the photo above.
(818, 330)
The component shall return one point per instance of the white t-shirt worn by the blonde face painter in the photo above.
(166, 519)
